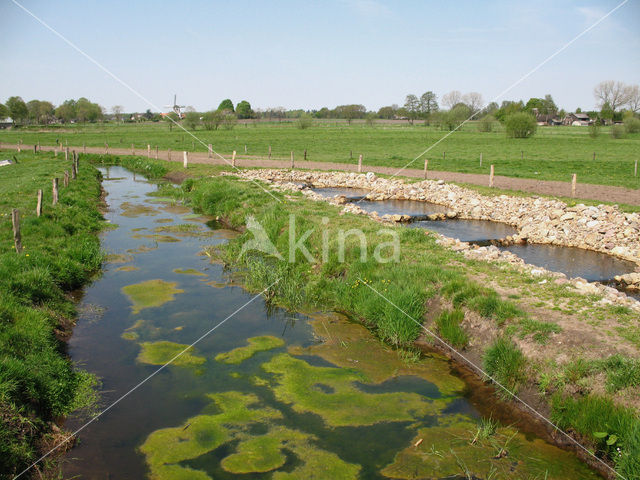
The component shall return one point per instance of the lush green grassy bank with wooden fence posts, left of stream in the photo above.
(38, 383)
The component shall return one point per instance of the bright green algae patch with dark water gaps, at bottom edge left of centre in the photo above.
(168, 450)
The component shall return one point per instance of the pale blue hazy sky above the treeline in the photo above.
(311, 54)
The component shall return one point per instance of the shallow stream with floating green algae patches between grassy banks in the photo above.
(267, 393)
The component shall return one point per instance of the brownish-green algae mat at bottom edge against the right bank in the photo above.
(449, 449)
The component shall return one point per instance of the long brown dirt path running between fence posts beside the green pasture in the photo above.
(543, 187)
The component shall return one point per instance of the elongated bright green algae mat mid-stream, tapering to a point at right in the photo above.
(331, 393)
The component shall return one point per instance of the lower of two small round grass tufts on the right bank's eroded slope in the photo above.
(505, 363)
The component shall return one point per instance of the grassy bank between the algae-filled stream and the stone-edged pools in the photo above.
(424, 273)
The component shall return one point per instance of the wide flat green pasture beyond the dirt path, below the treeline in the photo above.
(554, 153)
